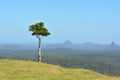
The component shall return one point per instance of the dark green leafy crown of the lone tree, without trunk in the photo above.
(39, 29)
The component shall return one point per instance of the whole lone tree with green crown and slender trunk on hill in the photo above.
(39, 30)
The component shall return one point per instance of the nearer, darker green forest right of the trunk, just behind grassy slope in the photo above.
(78, 61)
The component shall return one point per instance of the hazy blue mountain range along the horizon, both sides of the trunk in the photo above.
(67, 44)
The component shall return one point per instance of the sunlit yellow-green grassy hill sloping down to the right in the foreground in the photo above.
(27, 70)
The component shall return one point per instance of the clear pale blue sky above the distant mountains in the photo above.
(79, 21)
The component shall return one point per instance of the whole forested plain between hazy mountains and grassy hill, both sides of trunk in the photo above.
(100, 61)
